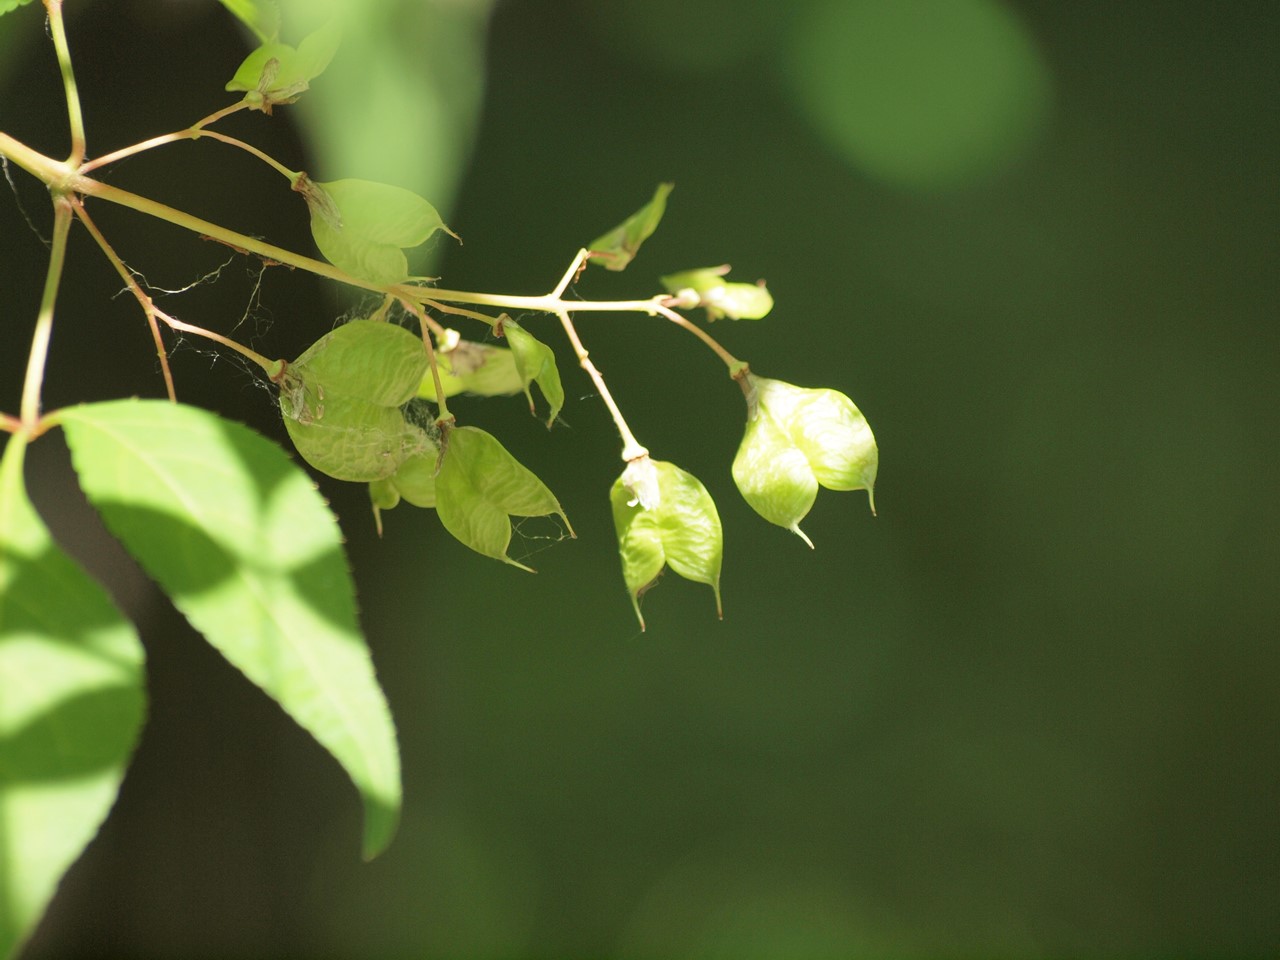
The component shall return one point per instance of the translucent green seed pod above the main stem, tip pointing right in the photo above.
(365, 227)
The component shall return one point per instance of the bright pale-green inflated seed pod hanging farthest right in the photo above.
(797, 441)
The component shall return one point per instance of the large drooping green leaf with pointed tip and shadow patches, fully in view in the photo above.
(245, 547)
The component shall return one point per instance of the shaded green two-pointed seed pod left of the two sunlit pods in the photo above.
(479, 486)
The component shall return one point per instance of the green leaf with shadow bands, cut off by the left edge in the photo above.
(72, 706)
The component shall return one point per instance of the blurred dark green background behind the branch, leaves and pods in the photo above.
(1028, 711)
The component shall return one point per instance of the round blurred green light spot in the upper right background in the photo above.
(924, 94)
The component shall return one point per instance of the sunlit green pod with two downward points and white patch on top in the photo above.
(664, 516)
